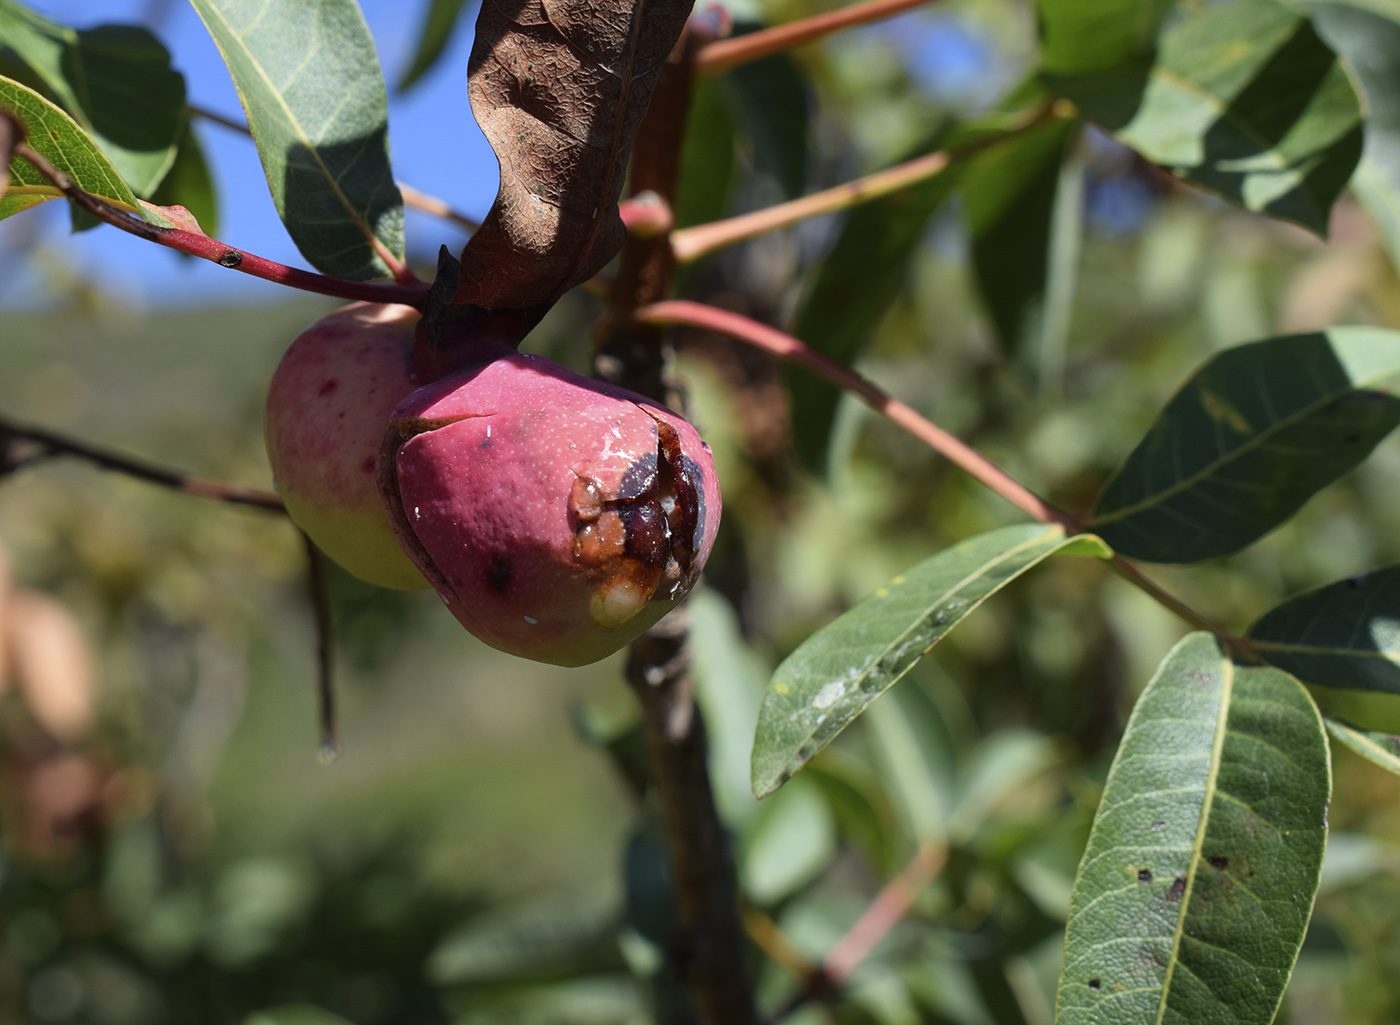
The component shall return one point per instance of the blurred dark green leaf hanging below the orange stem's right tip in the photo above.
(1010, 198)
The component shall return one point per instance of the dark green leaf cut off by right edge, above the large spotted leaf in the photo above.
(1345, 635)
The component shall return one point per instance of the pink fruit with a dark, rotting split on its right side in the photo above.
(556, 516)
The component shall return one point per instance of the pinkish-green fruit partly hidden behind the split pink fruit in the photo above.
(328, 408)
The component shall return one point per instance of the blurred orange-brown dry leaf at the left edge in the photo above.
(51, 662)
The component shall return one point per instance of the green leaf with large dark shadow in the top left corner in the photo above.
(115, 81)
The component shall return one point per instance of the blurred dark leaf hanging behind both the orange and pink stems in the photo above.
(853, 289)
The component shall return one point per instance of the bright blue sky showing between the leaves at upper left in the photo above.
(436, 146)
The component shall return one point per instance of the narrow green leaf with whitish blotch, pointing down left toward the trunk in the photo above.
(836, 673)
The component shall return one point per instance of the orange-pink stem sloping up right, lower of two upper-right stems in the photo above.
(691, 244)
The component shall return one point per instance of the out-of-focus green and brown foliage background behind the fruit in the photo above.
(479, 853)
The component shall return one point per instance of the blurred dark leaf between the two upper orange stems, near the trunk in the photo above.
(771, 103)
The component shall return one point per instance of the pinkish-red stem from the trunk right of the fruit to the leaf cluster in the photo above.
(787, 348)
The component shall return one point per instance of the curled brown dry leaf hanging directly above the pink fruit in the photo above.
(559, 88)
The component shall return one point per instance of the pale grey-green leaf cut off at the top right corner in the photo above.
(1370, 40)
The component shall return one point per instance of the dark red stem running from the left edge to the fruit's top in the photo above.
(219, 253)
